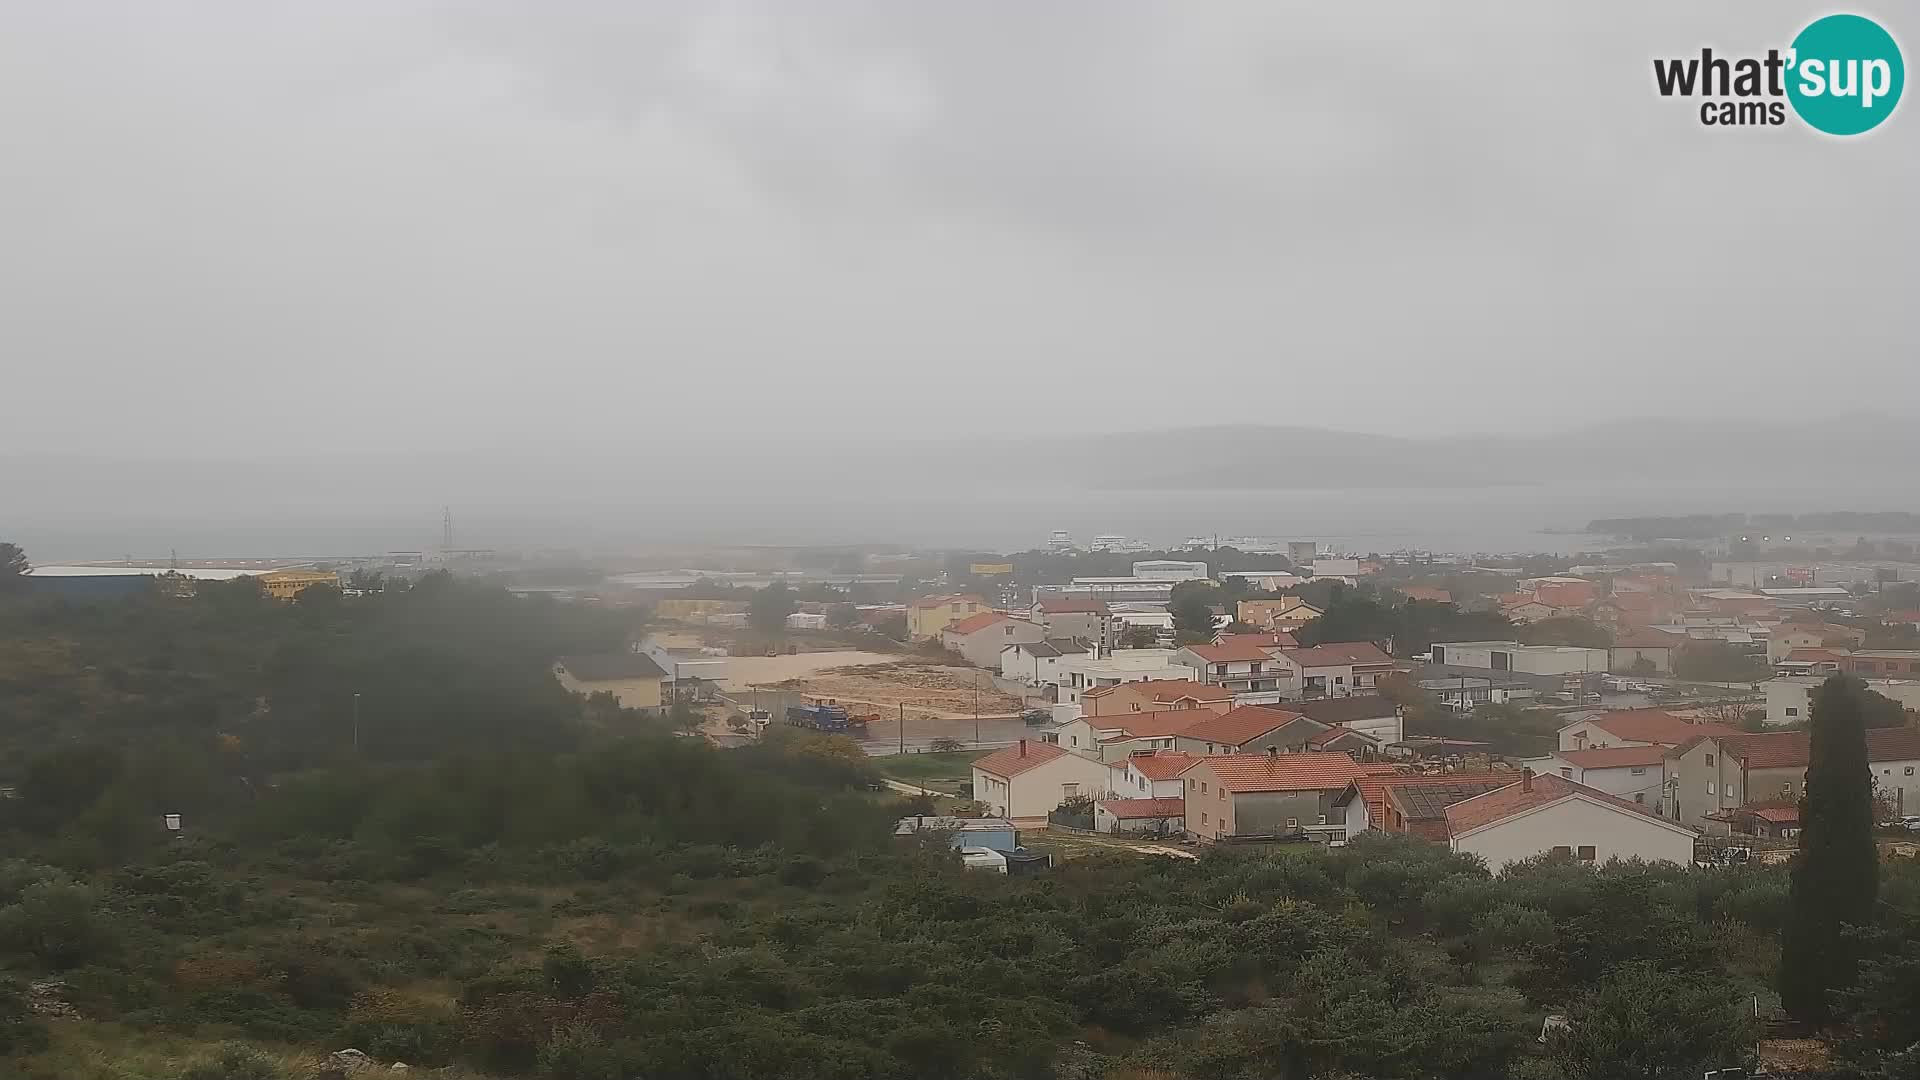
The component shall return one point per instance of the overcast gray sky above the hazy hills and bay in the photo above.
(276, 230)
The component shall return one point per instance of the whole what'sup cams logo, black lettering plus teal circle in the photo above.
(1842, 76)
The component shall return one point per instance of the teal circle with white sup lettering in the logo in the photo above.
(1846, 74)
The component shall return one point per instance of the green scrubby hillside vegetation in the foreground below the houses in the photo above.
(519, 883)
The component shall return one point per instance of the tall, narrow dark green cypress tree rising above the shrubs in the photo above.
(1838, 870)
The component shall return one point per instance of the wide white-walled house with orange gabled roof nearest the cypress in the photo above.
(1539, 816)
